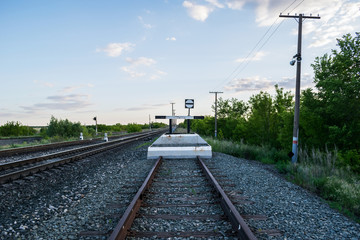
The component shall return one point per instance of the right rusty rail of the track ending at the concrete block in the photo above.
(242, 229)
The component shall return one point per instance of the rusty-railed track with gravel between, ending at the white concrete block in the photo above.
(181, 198)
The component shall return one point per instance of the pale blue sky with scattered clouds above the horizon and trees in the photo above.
(125, 61)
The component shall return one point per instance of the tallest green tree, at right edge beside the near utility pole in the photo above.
(337, 80)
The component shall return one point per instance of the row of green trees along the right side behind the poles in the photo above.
(329, 113)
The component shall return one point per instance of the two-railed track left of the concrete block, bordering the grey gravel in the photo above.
(17, 169)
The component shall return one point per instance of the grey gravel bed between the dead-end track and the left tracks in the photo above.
(62, 203)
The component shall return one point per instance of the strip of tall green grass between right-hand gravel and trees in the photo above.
(316, 171)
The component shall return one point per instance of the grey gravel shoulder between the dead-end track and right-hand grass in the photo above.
(294, 211)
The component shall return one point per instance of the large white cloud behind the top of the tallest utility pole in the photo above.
(338, 17)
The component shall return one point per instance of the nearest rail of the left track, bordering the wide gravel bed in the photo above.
(25, 172)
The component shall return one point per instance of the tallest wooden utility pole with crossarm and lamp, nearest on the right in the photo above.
(301, 18)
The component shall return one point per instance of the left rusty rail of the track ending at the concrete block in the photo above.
(122, 228)
